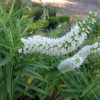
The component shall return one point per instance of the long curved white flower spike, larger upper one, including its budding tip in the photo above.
(58, 46)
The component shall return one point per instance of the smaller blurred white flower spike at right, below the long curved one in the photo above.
(78, 58)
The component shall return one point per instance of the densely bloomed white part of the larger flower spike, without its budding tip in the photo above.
(37, 43)
